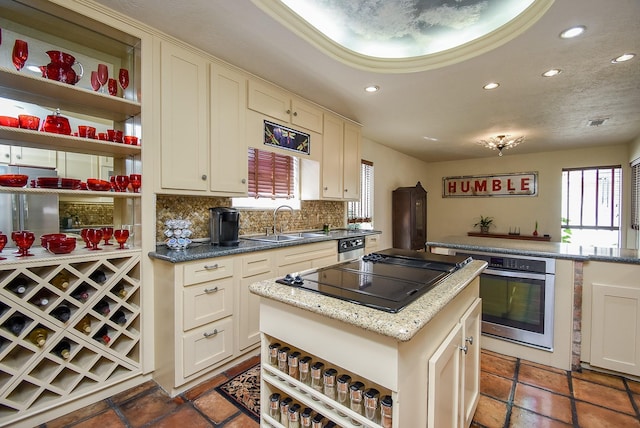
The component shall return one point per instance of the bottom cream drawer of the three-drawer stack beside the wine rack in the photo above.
(206, 346)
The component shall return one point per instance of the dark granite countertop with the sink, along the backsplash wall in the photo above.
(204, 250)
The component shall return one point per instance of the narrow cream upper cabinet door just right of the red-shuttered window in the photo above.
(332, 157)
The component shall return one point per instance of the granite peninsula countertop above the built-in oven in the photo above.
(555, 250)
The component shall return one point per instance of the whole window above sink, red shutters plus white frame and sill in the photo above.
(272, 177)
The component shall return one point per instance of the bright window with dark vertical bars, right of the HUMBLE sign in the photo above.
(591, 205)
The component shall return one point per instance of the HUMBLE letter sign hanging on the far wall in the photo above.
(516, 184)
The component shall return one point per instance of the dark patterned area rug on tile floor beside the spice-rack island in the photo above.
(243, 391)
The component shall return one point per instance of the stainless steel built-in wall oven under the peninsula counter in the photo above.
(517, 298)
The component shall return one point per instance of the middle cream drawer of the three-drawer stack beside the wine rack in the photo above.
(206, 303)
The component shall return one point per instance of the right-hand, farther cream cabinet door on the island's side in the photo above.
(470, 376)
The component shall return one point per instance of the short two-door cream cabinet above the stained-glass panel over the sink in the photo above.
(284, 107)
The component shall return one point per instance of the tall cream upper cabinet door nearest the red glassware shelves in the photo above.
(185, 119)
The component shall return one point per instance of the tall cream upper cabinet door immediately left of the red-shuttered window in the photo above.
(228, 142)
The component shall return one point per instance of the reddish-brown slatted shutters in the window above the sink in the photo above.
(271, 175)
